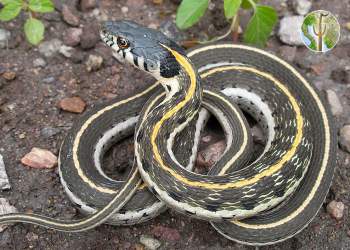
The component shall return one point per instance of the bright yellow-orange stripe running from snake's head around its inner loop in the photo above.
(268, 172)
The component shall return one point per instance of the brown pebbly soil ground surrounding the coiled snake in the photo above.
(43, 88)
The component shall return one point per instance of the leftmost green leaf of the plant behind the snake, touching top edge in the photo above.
(189, 12)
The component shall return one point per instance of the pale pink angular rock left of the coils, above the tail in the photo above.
(39, 158)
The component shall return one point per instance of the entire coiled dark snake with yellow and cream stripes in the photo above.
(252, 201)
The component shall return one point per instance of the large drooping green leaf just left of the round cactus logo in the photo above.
(260, 25)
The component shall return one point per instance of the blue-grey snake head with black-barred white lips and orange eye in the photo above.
(144, 48)
